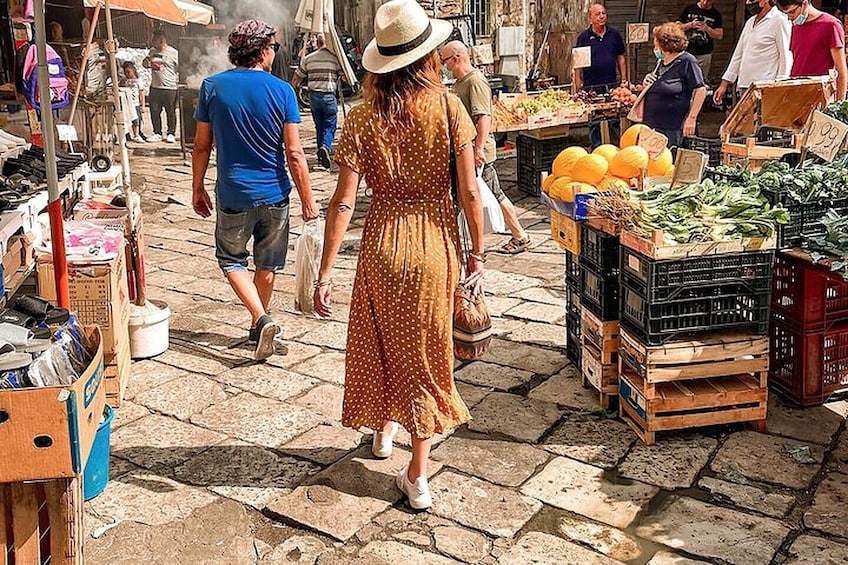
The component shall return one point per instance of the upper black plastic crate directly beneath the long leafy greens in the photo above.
(659, 280)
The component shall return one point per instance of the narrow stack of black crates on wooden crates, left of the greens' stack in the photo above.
(599, 328)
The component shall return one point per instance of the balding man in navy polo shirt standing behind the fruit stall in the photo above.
(607, 48)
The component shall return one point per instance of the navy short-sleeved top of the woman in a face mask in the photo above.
(668, 100)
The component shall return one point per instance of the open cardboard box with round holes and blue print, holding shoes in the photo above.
(47, 433)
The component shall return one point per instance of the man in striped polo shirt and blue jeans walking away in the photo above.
(321, 69)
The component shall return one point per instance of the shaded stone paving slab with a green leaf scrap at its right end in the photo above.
(763, 457)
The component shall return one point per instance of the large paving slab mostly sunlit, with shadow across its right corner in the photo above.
(582, 489)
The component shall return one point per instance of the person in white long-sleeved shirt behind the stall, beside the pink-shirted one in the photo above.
(762, 52)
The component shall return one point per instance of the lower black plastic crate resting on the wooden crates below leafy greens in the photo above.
(729, 307)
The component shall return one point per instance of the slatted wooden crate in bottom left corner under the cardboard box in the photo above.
(42, 522)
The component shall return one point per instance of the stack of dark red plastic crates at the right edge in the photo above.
(808, 331)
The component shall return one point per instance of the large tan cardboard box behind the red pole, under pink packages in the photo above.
(99, 296)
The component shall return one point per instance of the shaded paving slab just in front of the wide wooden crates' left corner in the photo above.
(672, 463)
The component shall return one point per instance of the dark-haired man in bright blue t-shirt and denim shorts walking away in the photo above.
(251, 116)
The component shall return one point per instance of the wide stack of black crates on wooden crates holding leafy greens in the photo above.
(693, 324)
